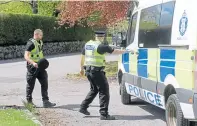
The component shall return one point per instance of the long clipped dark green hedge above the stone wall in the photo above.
(18, 28)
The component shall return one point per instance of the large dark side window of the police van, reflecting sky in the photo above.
(156, 25)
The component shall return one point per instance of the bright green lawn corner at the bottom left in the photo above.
(13, 117)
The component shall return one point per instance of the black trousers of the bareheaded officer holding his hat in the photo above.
(42, 76)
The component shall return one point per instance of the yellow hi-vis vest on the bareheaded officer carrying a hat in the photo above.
(36, 54)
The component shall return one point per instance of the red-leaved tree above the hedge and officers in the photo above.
(94, 13)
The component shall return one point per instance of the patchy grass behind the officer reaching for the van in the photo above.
(110, 69)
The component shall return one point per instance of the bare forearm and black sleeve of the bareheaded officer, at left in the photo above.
(29, 47)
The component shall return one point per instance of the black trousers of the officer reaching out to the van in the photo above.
(98, 84)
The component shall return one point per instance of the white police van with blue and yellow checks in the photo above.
(163, 71)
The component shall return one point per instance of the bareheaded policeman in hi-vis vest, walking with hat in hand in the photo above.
(33, 54)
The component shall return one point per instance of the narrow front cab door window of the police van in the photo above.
(131, 31)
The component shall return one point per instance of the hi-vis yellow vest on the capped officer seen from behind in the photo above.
(92, 57)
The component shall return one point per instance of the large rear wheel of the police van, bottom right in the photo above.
(174, 114)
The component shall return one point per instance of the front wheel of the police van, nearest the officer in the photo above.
(125, 97)
